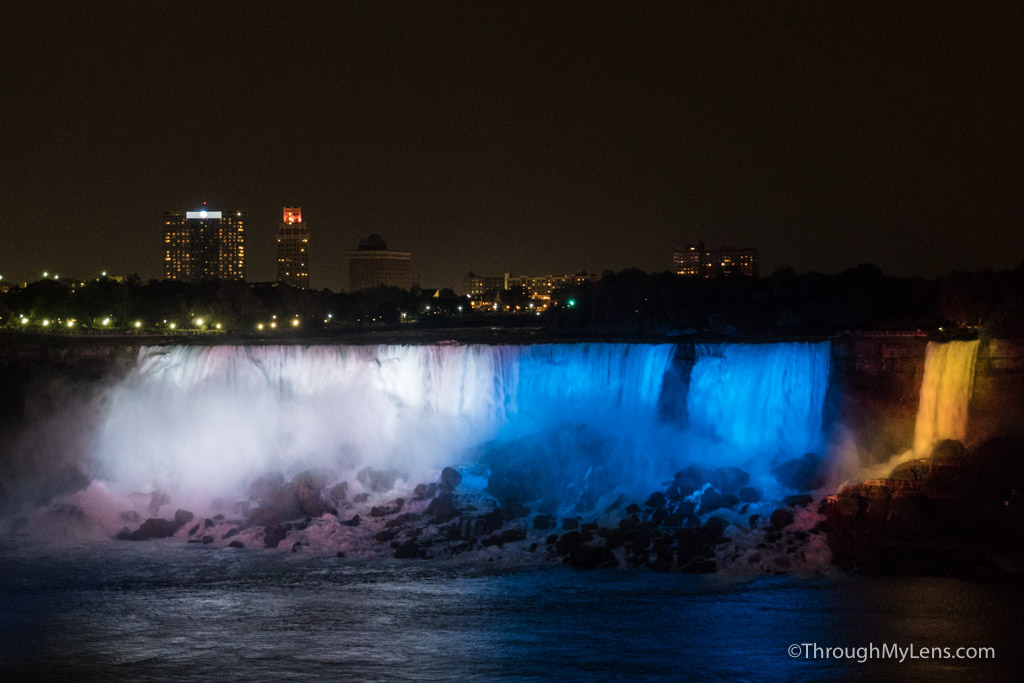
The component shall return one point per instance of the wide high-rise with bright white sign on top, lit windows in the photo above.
(204, 245)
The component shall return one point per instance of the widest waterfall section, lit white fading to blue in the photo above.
(211, 418)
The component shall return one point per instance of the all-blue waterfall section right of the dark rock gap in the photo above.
(761, 399)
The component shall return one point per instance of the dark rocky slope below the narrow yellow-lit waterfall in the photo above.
(960, 515)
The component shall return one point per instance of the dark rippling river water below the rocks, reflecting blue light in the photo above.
(153, 612)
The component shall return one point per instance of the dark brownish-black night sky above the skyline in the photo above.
(525, 138)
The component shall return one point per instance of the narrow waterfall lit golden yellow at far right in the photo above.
(946, 393)
